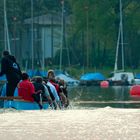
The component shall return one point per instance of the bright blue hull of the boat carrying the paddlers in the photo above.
(20, 104)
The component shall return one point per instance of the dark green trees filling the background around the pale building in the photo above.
(92, 34)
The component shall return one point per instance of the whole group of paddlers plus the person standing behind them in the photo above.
(38, 89)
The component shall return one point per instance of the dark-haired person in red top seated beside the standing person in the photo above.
(26, 88)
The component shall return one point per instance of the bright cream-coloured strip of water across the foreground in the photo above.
(97, 124)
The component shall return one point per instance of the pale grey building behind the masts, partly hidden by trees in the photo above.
(47, 39)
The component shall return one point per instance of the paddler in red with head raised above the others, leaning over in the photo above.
(52, 80)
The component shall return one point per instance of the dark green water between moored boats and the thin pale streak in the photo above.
(100, 94)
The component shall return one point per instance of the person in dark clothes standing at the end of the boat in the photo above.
(11, 69)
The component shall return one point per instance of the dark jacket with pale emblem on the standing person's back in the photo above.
(11, 69)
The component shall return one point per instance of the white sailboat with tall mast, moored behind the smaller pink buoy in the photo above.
(119, 76)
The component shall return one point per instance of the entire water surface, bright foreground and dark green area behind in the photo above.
(94, 114)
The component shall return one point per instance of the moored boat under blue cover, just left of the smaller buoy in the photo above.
(91, 79)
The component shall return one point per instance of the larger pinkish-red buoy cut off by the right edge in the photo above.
(135, 90)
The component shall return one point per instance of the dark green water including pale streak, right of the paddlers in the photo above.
(95, 96)
